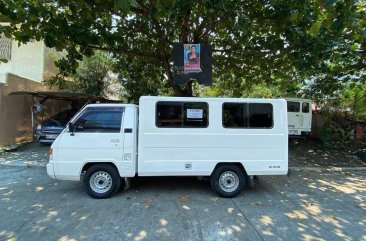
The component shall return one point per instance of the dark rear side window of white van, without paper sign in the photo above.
(244, 115)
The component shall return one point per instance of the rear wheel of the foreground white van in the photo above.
(234, 177)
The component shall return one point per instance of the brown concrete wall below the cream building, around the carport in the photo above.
(15, 111)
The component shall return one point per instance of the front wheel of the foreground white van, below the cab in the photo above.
(102, 181)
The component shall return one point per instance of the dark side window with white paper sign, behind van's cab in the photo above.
(181, 114)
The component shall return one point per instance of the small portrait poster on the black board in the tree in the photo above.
(192, 62)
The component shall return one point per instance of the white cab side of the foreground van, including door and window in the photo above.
(97, 137)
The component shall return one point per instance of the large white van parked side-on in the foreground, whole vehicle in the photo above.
(228, 140)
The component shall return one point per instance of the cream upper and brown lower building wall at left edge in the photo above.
(27, 67)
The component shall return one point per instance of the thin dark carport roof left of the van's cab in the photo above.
(61, 95)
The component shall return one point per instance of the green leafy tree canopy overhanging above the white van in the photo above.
(254, 42)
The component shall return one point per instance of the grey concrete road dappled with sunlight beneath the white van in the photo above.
(304, 206)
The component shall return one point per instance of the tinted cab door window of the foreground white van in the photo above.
(100, 119)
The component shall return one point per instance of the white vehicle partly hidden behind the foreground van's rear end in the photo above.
(299, 116)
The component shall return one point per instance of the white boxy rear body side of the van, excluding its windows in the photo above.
(196, 151)
